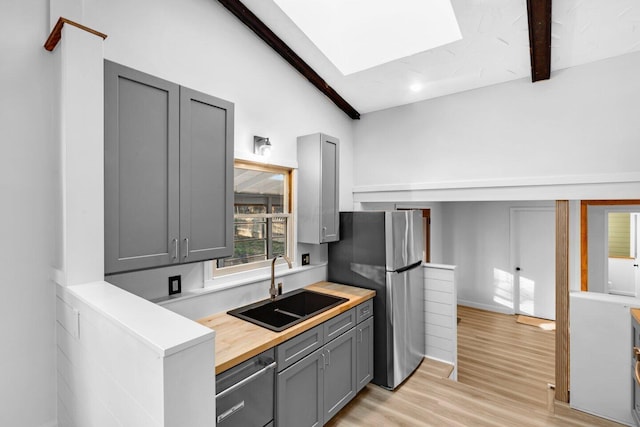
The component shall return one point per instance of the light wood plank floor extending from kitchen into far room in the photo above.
(503, 372)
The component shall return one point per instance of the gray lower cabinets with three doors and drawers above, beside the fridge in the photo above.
(322, 369)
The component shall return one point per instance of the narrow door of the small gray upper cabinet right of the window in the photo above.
(329, 208)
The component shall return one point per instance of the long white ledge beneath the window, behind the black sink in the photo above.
(235, 280)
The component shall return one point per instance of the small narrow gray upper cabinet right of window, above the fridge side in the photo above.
(318, 188)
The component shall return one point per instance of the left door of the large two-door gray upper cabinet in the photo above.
(141, 170)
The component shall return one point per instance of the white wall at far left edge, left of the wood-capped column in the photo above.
(27, 308)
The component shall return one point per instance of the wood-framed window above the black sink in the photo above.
(262, 217)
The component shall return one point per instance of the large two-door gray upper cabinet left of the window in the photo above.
(168, 172)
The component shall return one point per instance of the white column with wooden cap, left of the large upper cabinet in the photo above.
(81, 150)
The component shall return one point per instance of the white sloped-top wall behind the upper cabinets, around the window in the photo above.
(209, 50)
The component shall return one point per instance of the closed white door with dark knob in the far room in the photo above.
(533, 261)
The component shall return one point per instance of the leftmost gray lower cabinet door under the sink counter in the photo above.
(299, 393)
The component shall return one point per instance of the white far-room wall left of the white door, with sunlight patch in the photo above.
(477, 242)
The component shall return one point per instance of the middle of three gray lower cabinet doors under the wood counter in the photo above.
(340, 373)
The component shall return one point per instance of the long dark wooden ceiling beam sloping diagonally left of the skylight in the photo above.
(261, 30)
